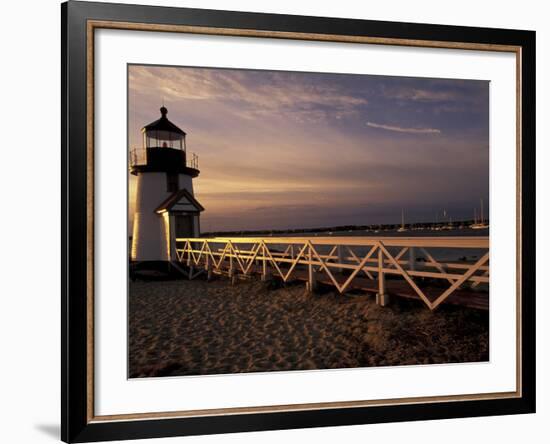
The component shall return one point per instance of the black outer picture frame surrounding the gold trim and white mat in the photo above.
(76, 423)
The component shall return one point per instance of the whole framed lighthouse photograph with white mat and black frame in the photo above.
(276, 221)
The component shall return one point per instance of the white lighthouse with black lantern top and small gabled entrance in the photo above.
(165, 206)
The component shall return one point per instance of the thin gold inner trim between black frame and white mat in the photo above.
(92, 25)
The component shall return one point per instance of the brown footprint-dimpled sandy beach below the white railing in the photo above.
(198, 327)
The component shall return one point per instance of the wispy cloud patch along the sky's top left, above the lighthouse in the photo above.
(252, 94)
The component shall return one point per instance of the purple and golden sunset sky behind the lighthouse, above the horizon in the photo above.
(294, 150)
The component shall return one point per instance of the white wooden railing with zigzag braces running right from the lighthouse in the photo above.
(343, 260)
